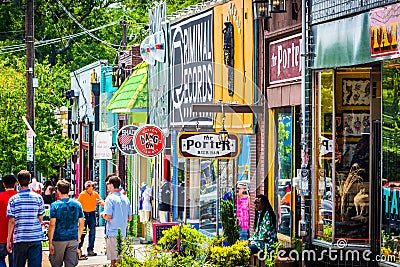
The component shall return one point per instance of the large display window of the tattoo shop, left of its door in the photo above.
(342, 180)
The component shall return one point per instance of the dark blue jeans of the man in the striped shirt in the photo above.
(31, 251)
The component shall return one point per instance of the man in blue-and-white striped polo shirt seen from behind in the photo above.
(25, 212)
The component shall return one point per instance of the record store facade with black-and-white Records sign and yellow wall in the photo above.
(199, 74)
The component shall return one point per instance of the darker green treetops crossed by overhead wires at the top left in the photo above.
(61, 27)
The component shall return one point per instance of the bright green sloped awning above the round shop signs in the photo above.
(132, 94)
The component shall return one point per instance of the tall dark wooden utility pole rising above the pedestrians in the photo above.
(30, 93)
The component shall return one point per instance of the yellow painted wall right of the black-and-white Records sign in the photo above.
(239, 13)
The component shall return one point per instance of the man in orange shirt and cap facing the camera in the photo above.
(88, 199)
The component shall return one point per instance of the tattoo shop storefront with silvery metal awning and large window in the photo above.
(354, 178)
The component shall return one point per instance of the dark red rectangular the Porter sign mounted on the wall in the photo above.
(285, 59)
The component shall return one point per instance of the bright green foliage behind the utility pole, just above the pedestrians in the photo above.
(51, 148)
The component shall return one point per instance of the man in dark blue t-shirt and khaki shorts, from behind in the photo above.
(65, 229)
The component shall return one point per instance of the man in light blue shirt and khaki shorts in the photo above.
(117, 212)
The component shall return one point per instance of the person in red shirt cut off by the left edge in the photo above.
(9, 182)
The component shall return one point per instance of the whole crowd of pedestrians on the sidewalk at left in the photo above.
(22, 210)
